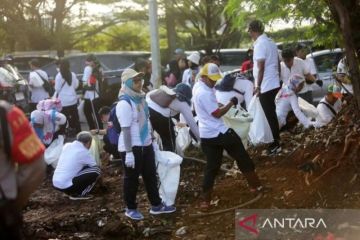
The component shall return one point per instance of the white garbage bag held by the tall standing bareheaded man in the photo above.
(260, 131)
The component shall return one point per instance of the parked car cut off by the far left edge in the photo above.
(13, 87)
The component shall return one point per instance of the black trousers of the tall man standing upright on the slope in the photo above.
(267, 101)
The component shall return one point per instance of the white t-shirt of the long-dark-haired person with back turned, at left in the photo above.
(67, 94)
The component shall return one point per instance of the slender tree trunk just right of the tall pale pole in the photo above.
(170, 28)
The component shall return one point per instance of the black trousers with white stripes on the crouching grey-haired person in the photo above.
(83, 182)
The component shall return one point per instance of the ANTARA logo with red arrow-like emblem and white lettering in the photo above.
(249, 223)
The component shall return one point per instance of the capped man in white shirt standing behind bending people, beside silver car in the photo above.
(306, 92)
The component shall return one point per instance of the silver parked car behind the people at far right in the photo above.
(325, 62)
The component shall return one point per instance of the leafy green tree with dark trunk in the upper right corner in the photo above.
(334, 21)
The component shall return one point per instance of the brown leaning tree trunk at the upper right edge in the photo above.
(350, 48)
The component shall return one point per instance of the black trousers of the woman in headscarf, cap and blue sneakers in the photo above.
(144, 165)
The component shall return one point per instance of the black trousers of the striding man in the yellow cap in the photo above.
(213, 149)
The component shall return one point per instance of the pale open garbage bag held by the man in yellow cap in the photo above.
(239, 120)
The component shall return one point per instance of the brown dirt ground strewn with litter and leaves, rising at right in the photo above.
(318, 168)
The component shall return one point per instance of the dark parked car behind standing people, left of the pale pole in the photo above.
(112, 63)
